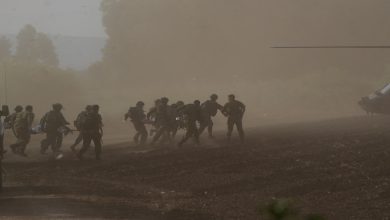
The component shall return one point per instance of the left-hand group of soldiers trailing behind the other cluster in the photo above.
(55, 126)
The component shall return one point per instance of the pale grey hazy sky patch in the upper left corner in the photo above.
(56, 17)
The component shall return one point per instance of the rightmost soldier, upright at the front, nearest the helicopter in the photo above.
(234, 110)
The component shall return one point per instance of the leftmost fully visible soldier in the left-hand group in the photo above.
(22, 126)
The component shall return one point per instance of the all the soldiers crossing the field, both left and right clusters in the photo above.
(165, 119)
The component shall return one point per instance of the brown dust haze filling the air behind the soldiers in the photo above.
(186, 50)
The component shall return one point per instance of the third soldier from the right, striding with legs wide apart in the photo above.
(192, 113)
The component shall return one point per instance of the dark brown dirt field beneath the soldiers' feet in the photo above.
(339, 168)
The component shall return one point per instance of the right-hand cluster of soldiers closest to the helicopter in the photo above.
(195, 117)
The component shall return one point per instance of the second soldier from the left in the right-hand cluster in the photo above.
(162, 122)
